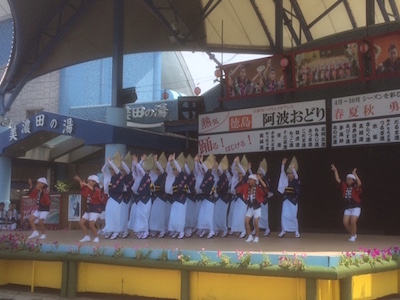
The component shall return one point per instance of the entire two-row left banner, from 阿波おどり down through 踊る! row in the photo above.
(271, 128)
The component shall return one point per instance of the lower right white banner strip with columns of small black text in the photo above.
(374, 131)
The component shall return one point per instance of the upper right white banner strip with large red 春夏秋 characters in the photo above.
(379, 104)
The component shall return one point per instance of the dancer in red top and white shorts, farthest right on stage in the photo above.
(351, 191)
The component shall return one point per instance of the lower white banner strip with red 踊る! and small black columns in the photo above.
(302, 137)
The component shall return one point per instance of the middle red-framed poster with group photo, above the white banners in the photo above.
(329, 65)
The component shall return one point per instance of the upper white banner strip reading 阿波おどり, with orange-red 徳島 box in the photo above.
(290, 114)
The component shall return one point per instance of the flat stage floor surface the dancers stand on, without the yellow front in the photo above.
(325, 244)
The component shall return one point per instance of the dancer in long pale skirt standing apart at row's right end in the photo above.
(289, 186)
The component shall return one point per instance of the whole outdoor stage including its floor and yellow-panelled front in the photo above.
(75, 266)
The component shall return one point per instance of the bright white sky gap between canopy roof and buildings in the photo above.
(202, 67)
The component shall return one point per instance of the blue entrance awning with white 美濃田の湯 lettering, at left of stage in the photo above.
(53, 137)
